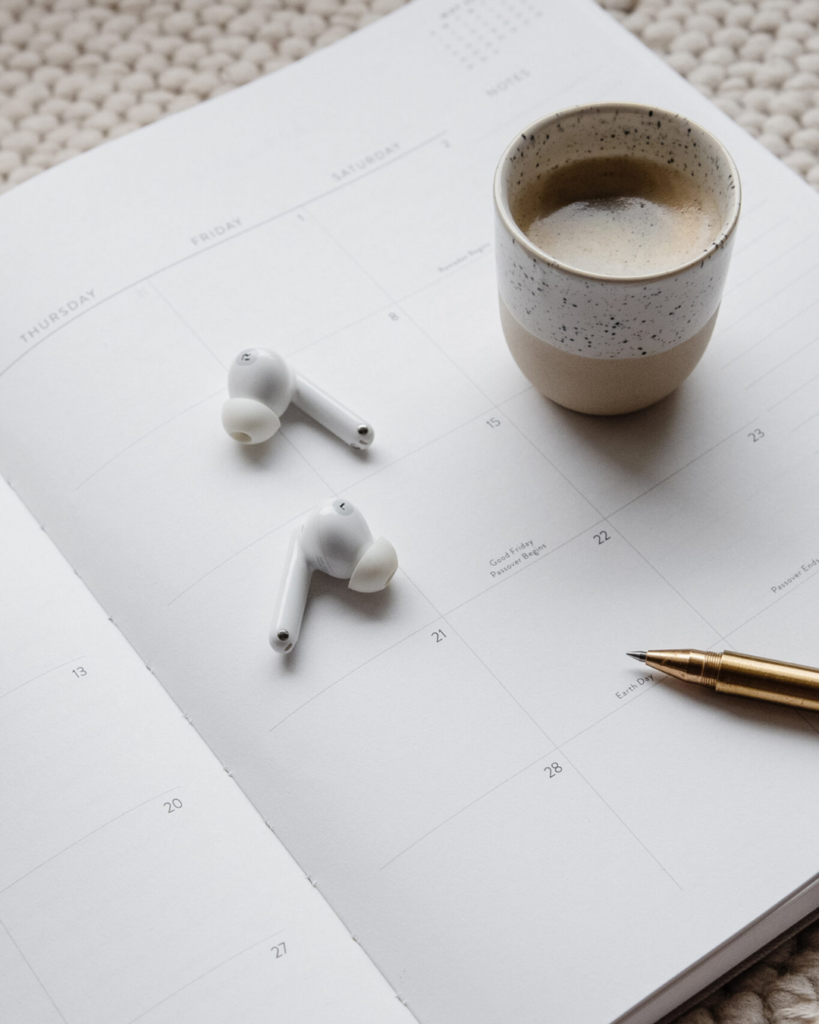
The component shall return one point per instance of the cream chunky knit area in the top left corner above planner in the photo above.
(76, 73)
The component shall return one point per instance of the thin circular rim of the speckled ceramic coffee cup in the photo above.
(502, 201)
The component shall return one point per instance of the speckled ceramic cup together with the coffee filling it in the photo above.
(615, 229)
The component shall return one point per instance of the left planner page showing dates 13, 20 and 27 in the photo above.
(137, 882)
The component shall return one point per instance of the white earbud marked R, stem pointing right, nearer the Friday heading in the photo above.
(263, 386)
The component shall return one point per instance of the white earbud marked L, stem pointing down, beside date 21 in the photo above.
(336, 540)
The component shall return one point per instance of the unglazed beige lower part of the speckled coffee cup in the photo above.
(602, 388)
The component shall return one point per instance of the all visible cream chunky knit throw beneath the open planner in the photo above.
(76, 73)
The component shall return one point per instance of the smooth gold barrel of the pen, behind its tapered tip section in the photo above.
(747, 676)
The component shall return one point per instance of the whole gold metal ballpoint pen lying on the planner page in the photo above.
(742, 675)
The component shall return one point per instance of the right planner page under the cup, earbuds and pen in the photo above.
(482, 785)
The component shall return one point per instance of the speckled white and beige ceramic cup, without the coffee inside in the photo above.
(599, 344)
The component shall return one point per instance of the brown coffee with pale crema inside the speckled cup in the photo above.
(619, 217)
